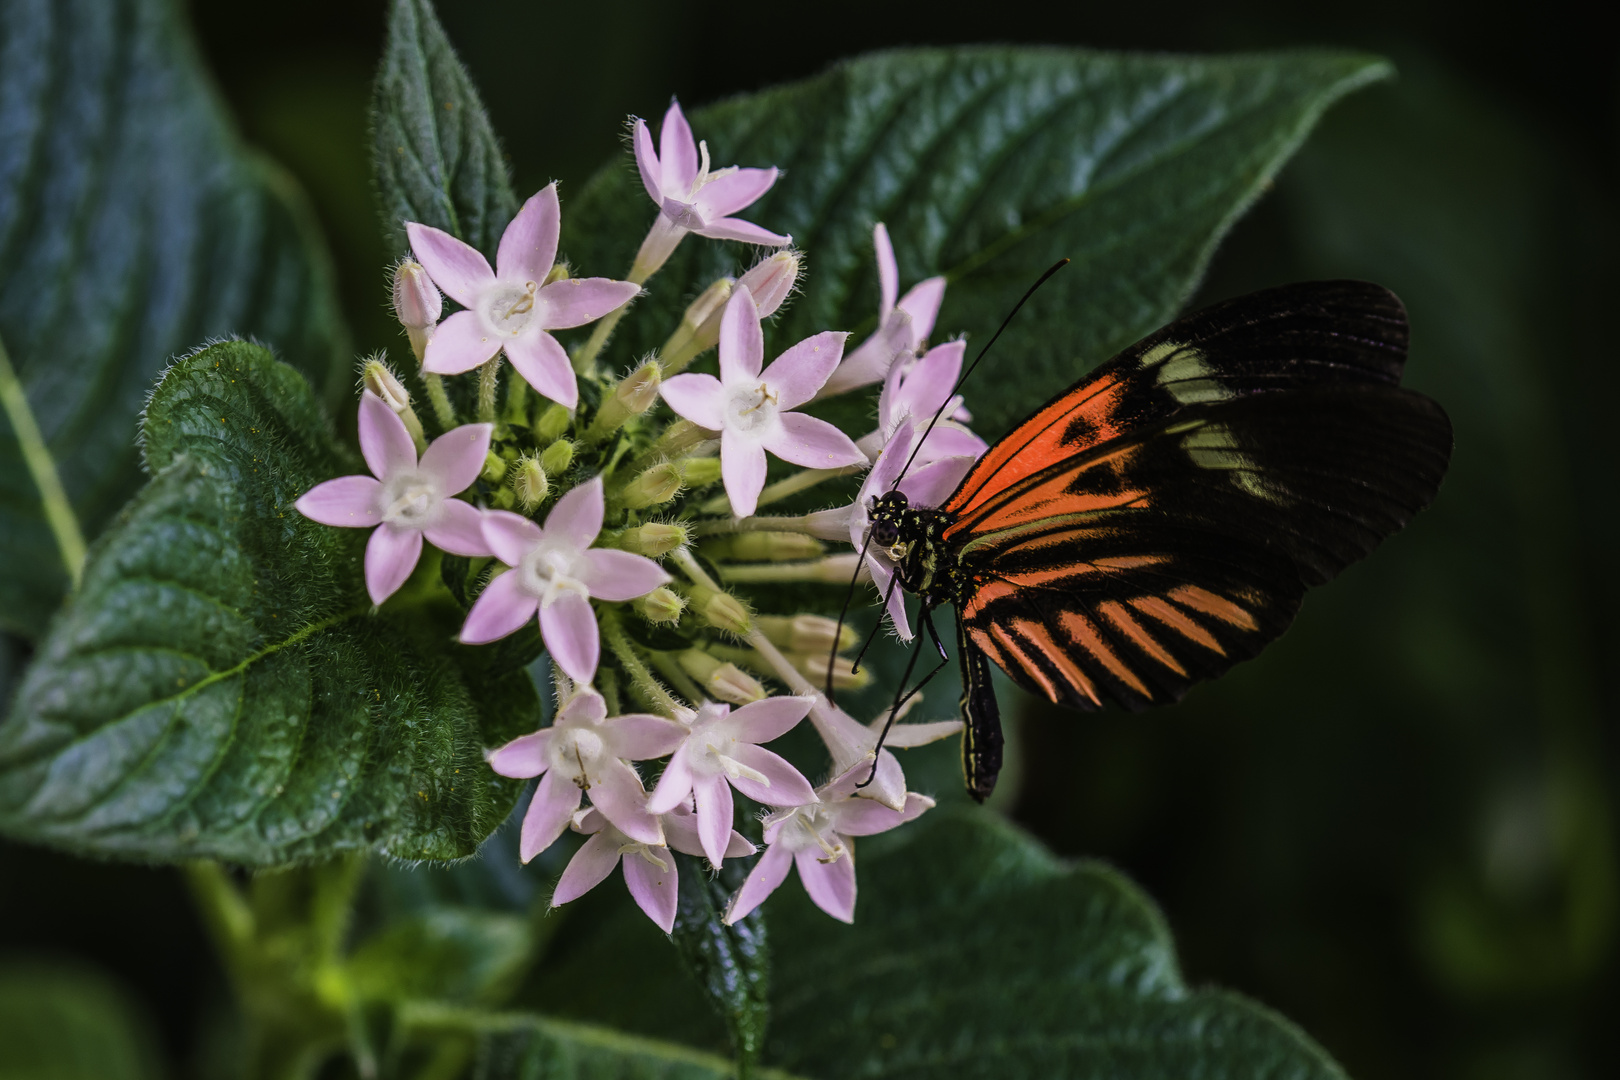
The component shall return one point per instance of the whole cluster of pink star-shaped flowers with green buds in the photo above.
(582, 504)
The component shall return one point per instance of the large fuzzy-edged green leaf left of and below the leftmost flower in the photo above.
(221, 686)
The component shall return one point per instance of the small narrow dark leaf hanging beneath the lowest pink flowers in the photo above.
(733, 964)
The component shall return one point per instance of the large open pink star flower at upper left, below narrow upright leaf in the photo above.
(513, 308)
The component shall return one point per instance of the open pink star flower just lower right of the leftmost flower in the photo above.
(556, 572)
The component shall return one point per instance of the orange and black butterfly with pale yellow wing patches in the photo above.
(1162, 519)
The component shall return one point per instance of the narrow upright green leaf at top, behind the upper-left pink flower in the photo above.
(433, 151)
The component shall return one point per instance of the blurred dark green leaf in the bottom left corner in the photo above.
(69, 1024)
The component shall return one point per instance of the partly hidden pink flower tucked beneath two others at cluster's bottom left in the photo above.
(649, 870)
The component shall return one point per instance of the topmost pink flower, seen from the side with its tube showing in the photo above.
(689, 197)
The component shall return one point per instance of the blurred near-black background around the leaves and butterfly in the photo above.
(1400, 825)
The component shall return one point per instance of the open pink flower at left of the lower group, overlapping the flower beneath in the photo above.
(586, 752)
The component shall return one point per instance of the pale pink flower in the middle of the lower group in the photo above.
(723, 752)
